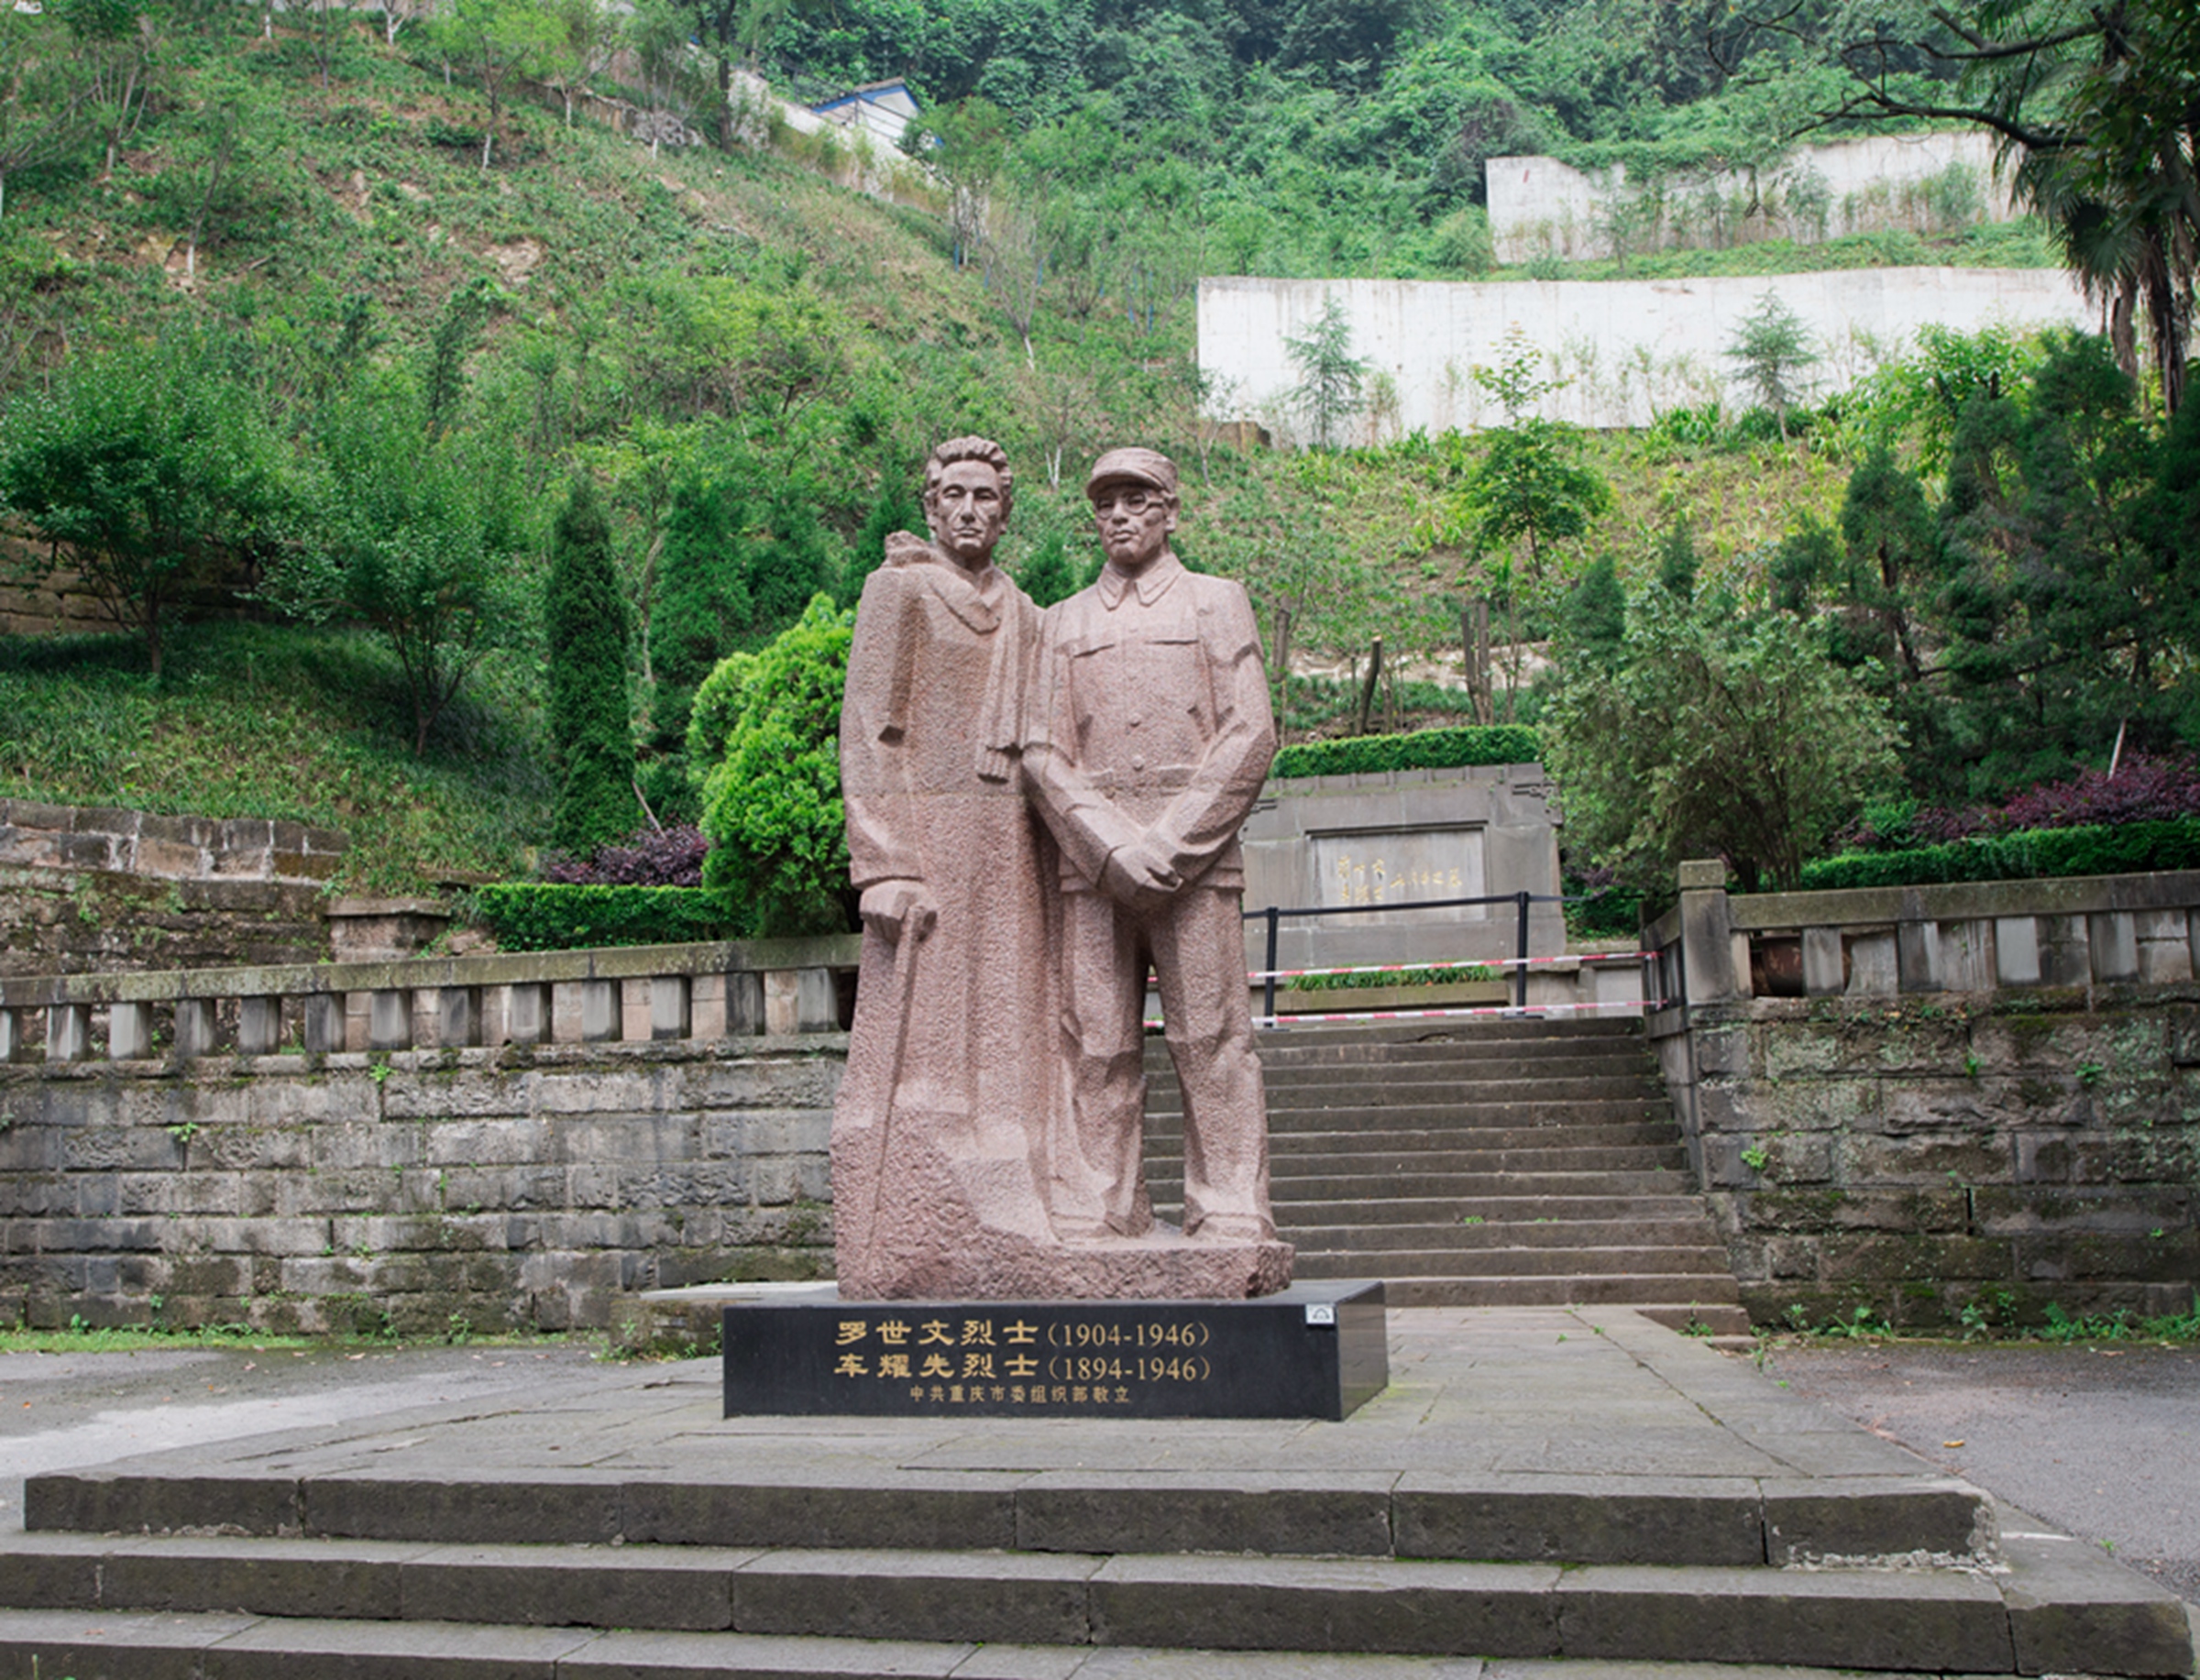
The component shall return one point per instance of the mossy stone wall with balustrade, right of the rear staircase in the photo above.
(1981, 1096)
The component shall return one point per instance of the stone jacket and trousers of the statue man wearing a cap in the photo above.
(1152, 720)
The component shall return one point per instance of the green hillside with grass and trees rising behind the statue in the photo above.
(366, 309)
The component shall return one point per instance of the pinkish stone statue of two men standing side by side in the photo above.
(1039, 806)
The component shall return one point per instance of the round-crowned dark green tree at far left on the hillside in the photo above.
(140, 472)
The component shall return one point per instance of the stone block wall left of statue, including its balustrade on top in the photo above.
(417, 1145)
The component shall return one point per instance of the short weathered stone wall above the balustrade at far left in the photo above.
(91, 887)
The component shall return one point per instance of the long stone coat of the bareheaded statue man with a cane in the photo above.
(940, 1125)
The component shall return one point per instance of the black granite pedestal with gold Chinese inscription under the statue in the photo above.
(1314, 1351)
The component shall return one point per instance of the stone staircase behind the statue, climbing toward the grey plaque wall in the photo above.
(1490, 1164)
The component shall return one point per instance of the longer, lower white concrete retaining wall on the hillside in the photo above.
(1627, 351)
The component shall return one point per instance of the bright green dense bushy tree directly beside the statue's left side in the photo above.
(773, 797)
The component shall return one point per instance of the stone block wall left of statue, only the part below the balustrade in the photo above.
(412, 1191)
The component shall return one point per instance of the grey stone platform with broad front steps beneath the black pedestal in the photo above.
(628, 1534)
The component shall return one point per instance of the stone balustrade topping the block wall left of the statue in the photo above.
(588, 997)
